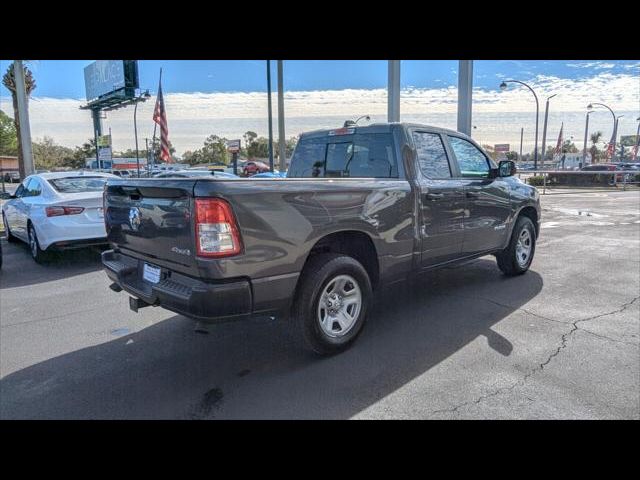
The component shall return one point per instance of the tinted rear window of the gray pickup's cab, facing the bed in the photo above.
(350, 155)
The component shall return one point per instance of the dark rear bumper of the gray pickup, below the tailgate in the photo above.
(179, 293)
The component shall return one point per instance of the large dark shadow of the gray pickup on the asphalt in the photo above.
(252, 370)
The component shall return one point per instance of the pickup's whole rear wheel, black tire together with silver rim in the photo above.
(331, 304)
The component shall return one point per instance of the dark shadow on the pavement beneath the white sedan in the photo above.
(19, 269)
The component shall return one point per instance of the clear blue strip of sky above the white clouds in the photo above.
(64, 78)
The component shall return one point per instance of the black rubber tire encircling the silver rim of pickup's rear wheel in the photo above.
(319, 272)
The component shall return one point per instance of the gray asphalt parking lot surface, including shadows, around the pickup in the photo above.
(560, 342)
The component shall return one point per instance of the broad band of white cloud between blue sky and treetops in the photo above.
(498, 115)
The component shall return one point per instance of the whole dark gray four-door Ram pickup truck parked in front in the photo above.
(361, 207)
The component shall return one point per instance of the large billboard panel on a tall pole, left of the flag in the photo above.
(106, 76)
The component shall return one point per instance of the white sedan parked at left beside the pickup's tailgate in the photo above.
(57, 211)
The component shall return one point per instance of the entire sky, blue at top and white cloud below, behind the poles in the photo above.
(228, 98)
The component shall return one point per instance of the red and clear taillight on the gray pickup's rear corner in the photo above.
(217, 233)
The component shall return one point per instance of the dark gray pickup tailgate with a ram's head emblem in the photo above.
(152, 218)
